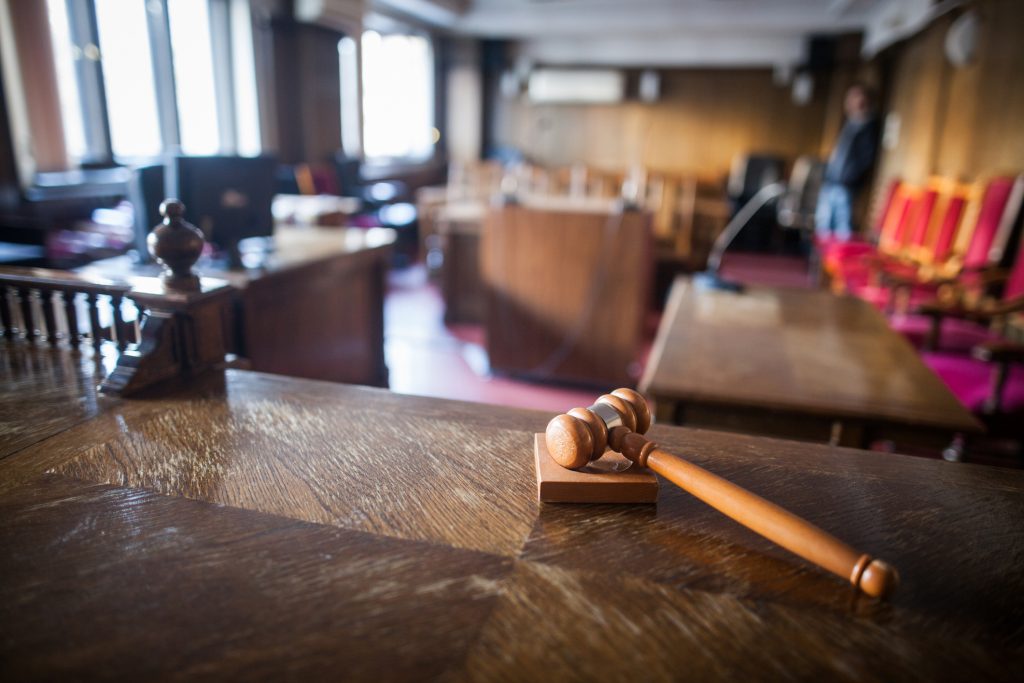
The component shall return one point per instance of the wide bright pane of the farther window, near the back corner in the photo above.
(398, 98)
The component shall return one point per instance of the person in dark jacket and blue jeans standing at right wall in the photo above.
(849, 165)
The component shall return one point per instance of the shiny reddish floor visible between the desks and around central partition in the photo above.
(429, 359)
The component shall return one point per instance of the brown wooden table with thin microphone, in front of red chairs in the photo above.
(798, 364)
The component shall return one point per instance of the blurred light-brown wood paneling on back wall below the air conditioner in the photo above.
(704, 119)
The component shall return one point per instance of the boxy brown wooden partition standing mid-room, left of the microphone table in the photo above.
(567, 285)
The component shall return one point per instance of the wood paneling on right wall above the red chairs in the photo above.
(960, 122)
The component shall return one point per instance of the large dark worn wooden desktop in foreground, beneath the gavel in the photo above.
(269, 528)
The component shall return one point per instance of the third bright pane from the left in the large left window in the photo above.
(193, 56)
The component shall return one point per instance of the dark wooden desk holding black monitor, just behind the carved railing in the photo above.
(314, 308)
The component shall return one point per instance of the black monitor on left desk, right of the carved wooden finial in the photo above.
(229, 198)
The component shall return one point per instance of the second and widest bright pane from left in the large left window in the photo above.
(127, 63)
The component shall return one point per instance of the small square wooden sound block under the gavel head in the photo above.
(605, 481)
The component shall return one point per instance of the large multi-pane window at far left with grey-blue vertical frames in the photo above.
(141, 78)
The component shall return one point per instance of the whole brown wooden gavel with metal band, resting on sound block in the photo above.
(617, 421)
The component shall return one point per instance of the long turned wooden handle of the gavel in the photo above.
(782, 527)
